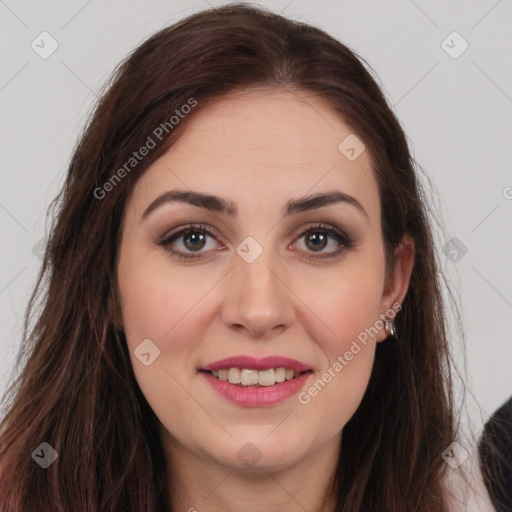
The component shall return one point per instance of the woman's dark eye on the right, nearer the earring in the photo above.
(320, 237)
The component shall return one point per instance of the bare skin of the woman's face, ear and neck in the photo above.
(259, 149)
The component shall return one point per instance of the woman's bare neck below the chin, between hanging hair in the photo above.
(199, 483)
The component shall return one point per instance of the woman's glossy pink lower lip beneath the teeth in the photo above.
(257, 397)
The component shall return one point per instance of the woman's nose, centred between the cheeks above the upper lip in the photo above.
(257, 300)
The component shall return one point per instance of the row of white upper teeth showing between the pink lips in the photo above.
(250, 378)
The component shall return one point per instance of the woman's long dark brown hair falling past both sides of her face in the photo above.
(76, 389)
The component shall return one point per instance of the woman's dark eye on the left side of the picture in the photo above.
(190, 241)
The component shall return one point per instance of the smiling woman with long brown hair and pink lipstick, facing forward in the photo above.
(244, 308)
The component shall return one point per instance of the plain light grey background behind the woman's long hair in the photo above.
(456, 112)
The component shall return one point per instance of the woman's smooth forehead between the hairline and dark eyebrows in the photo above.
(261, 145)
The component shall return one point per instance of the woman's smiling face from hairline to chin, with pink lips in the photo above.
(266, 271)
